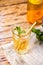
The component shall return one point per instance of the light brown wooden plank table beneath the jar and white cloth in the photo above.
(10, 12)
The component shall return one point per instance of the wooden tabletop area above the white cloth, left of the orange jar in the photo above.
(11, 12)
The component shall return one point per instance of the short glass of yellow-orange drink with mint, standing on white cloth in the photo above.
(21, 41)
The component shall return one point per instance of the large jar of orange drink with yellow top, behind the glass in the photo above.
(35, 11)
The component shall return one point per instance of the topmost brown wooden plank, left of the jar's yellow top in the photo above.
(10, 2)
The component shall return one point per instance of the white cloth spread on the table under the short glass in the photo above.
(33, 57)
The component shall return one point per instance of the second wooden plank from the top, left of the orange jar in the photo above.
(13, 10)
